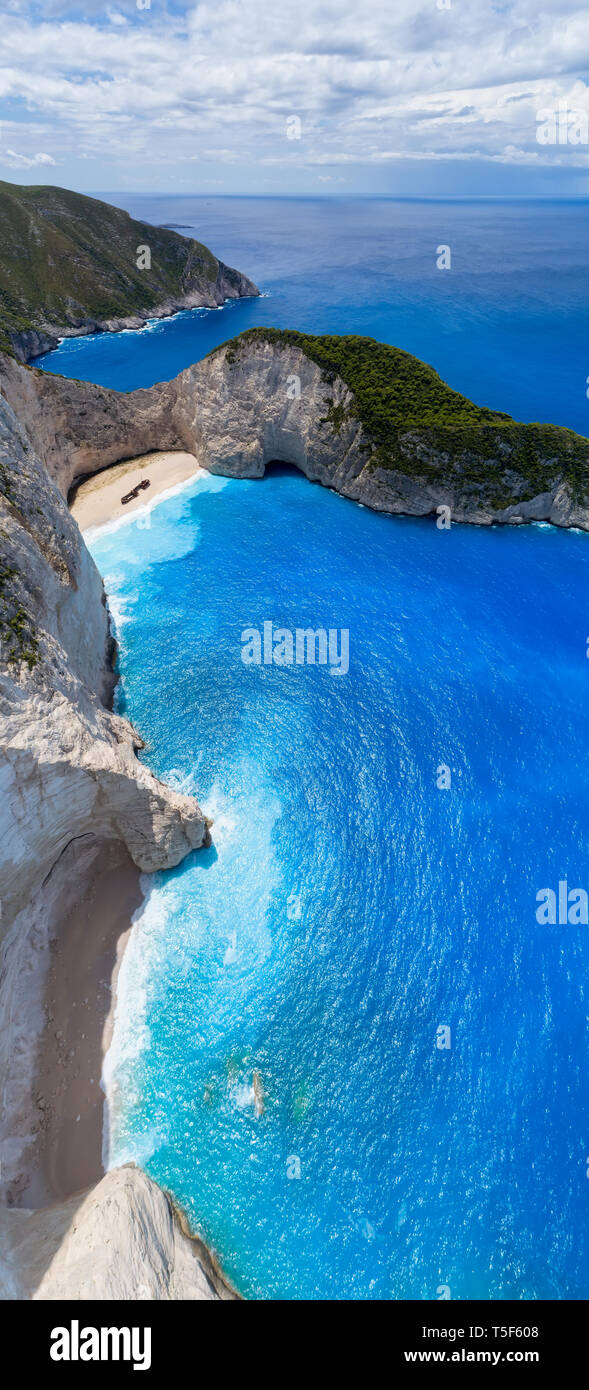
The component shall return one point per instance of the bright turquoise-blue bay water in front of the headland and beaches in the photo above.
(372, 897)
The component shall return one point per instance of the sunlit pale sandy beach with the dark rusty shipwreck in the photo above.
(98, 500)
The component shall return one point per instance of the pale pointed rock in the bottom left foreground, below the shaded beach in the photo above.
(123, 1241)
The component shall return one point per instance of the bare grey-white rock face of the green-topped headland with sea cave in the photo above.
(254, 402)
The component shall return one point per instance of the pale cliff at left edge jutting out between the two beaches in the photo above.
(70, 764)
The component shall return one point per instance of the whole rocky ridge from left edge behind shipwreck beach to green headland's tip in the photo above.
(259, 400)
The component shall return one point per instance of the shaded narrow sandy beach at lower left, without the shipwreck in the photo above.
(80, 1011)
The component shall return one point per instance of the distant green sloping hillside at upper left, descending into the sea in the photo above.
(69, 265)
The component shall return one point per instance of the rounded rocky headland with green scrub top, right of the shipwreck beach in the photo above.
(265, 398)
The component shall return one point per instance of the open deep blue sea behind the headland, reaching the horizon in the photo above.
(506, 326)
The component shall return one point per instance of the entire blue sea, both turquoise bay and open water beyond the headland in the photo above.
(277, 1060)
